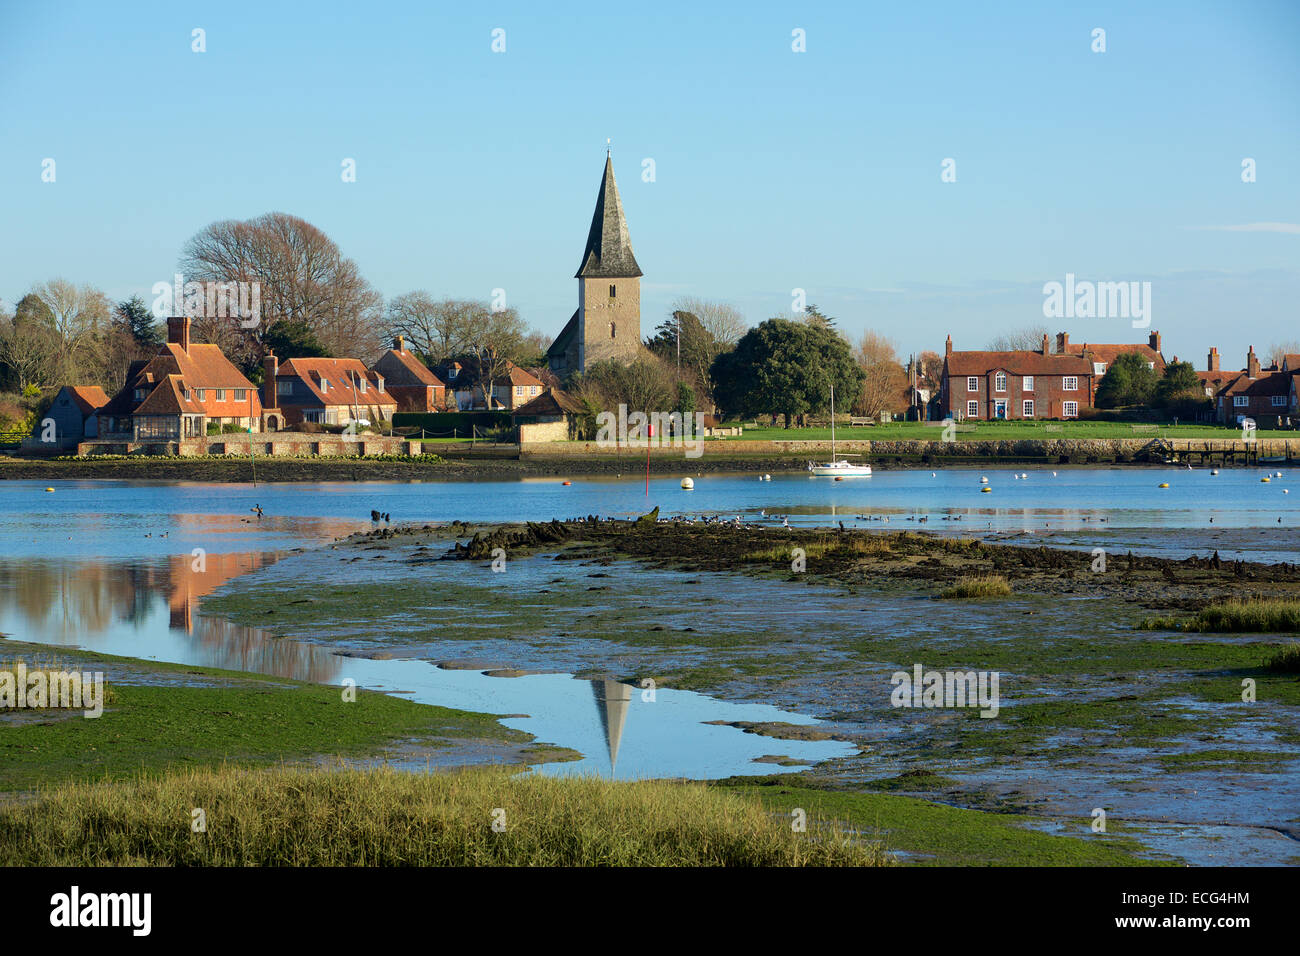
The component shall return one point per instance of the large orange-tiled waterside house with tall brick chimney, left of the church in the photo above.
(181, 393)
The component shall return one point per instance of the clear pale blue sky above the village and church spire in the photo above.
(774, 170)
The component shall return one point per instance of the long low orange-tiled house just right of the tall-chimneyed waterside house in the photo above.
(328, 392)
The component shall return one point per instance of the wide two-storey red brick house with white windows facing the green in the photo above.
(990, 386)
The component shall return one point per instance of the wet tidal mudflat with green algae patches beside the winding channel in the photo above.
(1149, 726)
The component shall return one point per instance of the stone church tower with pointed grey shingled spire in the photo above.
(608, 322)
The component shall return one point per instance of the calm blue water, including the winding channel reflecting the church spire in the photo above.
(109, 566)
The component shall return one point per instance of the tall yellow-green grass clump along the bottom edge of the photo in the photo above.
(287, 817)
